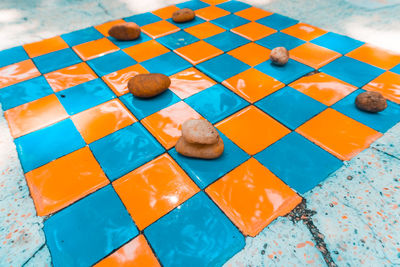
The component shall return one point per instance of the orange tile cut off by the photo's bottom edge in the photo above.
(135, 253)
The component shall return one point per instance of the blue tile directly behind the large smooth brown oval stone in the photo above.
(168, 64)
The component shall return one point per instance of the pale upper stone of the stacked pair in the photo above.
(199, 132)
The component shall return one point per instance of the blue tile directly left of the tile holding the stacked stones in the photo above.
(125, 150)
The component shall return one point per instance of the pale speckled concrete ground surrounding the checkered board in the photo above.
(351, 219)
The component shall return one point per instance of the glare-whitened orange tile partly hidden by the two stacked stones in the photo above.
(166, 124)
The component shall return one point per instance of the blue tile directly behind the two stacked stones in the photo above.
(216, 103)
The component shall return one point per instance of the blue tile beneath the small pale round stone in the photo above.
(288, 73)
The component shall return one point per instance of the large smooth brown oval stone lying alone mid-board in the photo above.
(148, 85)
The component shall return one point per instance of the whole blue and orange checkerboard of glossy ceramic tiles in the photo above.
(101, 163)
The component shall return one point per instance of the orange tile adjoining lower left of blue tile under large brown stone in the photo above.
(102, 120)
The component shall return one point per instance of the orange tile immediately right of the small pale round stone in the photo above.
(313, 55)
